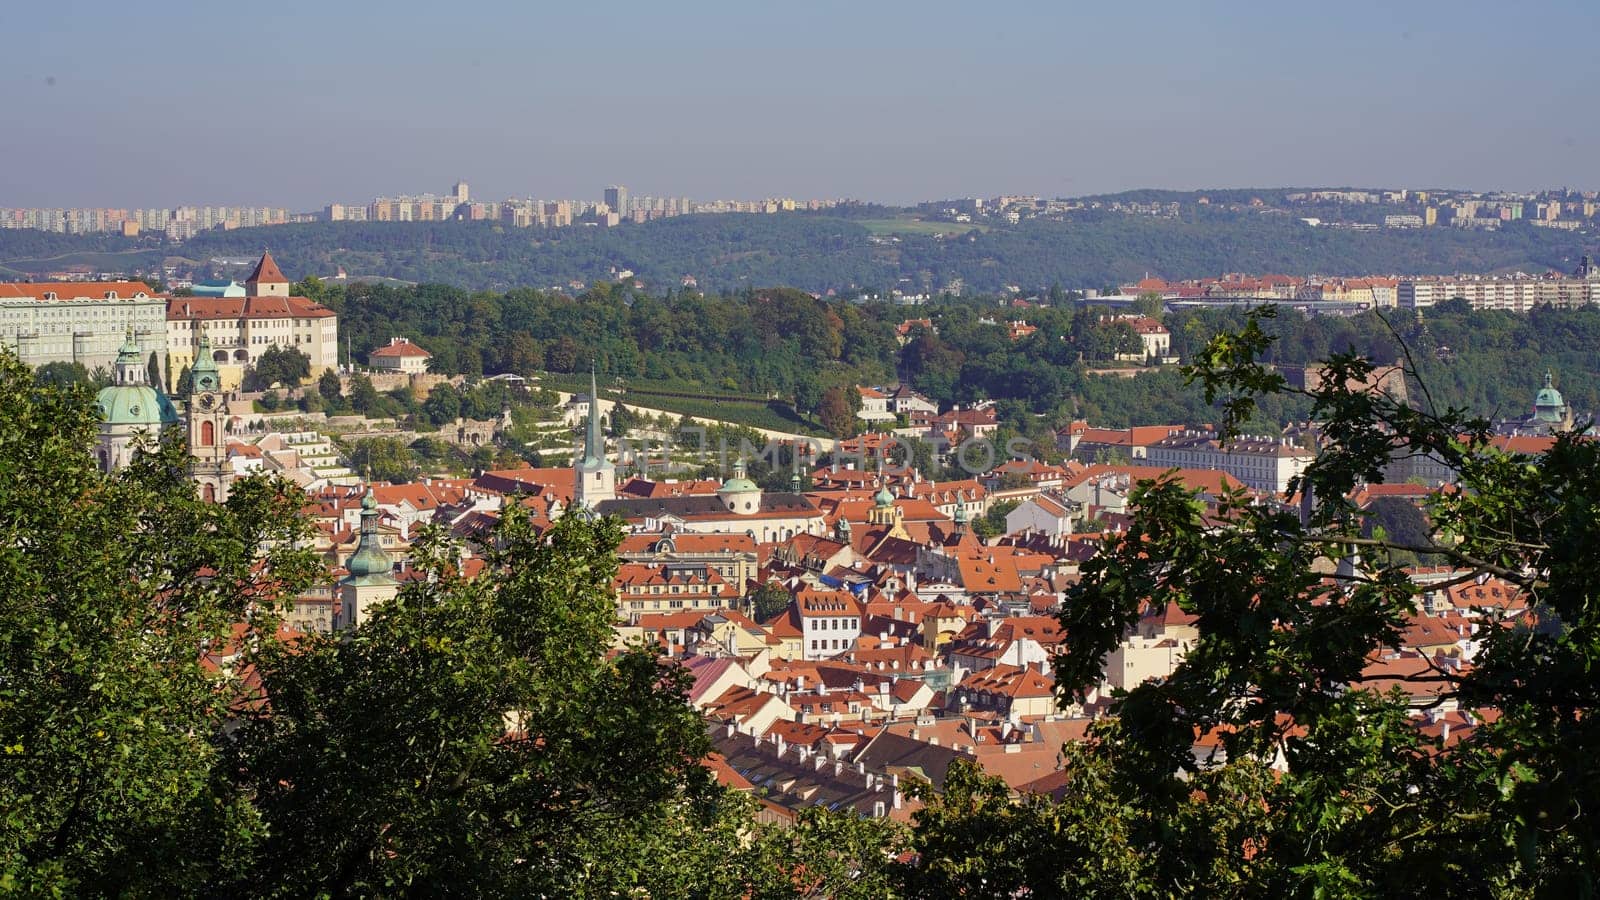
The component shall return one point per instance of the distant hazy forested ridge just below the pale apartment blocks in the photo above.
(822, 252)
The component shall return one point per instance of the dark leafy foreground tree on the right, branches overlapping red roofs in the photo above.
(1318, 785)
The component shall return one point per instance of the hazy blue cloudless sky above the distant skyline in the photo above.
(300, 103)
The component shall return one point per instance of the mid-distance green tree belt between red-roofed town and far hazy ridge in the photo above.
(786, 345)
